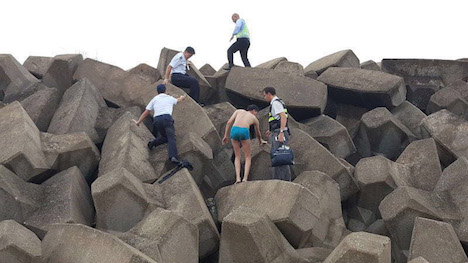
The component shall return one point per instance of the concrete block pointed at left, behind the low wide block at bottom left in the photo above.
(165, 237)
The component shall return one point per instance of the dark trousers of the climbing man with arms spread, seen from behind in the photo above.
(165, 126)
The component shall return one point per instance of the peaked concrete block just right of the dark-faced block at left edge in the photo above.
(78, 111)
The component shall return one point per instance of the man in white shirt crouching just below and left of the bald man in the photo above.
(177, 70)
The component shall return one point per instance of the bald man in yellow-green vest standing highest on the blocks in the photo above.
(242, 44)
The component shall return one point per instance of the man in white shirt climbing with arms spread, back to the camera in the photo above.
(162, 106)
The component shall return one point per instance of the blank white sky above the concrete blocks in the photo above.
(126, 33)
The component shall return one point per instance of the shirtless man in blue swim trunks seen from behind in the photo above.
(240, 121)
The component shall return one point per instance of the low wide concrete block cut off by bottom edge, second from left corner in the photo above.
(81, 244)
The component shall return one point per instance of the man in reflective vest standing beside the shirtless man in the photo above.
(278, 130)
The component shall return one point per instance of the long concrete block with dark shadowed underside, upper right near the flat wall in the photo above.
(362, 87)
